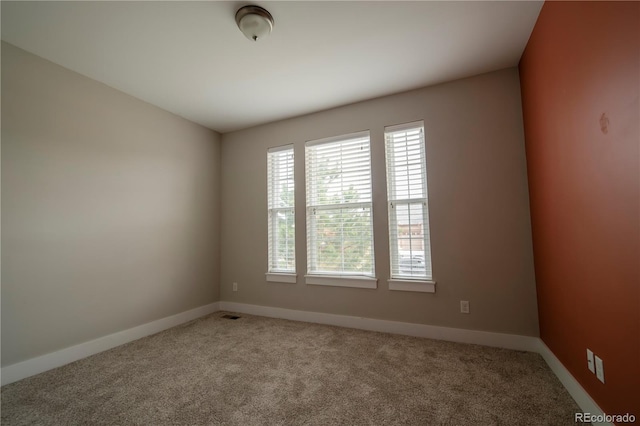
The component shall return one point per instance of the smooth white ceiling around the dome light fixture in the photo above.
(190, 58)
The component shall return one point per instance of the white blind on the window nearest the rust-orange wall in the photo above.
(409, 238)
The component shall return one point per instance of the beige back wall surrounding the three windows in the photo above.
(481, 233)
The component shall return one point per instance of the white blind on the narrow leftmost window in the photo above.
(280, 196)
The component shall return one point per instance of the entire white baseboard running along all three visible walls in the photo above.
(21, 370)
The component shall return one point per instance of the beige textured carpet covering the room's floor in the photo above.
(263, 371)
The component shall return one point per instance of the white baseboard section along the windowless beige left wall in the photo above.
(30, 367)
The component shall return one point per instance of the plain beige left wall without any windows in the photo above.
(110, 209)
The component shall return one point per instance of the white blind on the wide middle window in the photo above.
(339, 217)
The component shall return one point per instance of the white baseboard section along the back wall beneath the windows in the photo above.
(501, 340)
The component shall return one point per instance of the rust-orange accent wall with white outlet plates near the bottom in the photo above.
(580, 75)
